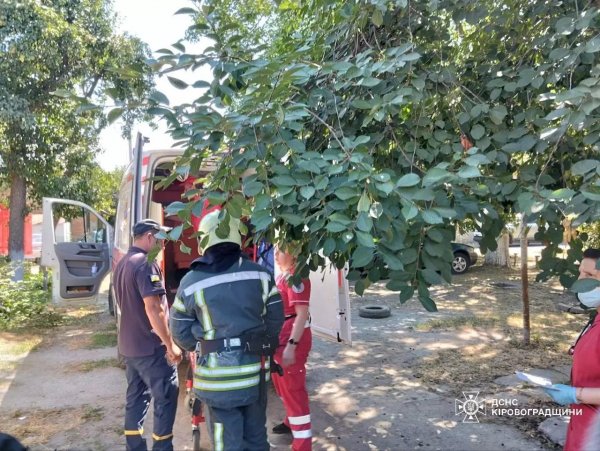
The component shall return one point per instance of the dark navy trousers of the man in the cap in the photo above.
(150, 377)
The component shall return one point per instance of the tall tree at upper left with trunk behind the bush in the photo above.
(48, 50)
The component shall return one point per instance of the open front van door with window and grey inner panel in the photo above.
(77, 246)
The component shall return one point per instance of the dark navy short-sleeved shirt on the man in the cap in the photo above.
(133, 280)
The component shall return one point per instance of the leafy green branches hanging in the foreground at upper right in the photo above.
(350, 115)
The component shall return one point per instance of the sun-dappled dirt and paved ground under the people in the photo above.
(397, 387)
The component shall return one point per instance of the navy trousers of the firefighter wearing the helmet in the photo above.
(238, 428)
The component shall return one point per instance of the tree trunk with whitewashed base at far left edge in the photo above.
(16, 225)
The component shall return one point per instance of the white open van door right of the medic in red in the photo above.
(330, 304)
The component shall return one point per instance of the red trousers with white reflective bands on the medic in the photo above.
(291, 388)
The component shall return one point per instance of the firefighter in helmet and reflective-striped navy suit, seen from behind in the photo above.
(229, 311)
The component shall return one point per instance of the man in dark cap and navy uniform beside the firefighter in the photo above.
(145, 341)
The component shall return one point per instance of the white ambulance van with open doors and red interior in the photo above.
(82, 248)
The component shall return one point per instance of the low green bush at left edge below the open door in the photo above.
(25, 303)
